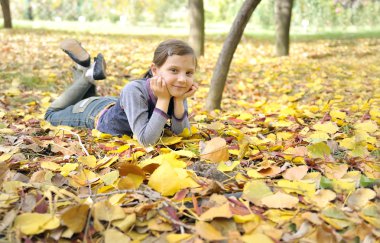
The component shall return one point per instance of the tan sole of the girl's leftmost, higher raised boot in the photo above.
(74, 49)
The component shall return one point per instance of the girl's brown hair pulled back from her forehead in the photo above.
(169, 48)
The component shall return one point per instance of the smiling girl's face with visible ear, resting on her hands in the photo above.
(177, 72)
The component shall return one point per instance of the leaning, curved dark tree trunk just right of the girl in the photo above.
(222, 67)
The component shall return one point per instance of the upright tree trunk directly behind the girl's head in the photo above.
(197, 26)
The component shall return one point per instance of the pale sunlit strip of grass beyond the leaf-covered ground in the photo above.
(212, 30)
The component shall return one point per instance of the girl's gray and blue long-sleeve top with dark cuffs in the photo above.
(135, 113)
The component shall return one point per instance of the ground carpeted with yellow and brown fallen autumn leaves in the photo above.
(293, 156)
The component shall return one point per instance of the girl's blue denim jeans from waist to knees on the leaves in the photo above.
(82, 114)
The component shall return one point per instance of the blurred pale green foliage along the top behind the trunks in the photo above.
(308, 15)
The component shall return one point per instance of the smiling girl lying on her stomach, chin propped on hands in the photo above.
(144, 105)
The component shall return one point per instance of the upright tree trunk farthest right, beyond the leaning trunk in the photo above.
(283, 15)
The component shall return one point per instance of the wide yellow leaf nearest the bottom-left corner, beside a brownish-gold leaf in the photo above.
(35, 223)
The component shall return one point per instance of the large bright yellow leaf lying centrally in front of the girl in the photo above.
(160, 178)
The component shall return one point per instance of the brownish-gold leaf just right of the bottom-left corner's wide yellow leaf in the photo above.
(75, 217)
